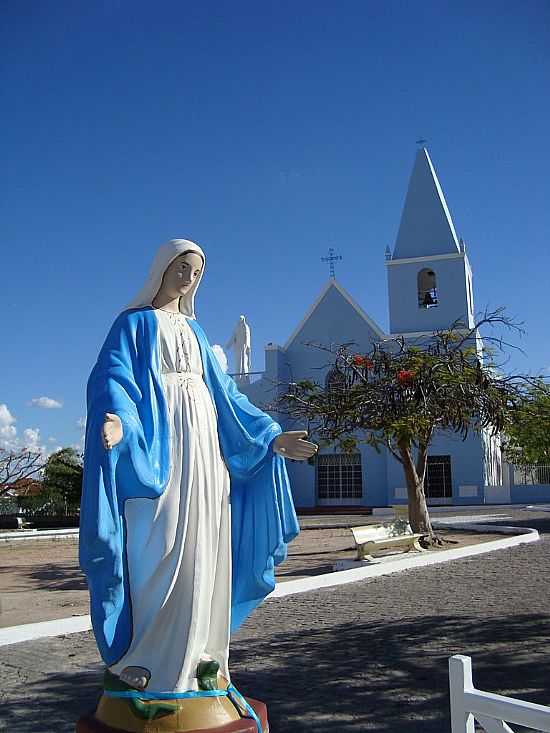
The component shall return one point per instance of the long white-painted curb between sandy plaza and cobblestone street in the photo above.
(74, 624)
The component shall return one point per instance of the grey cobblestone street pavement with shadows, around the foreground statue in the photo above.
(368, 656)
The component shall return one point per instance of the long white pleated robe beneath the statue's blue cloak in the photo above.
(179, 545)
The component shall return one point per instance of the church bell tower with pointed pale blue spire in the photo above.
(429, 275)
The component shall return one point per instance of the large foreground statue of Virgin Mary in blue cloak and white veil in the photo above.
(186, 506)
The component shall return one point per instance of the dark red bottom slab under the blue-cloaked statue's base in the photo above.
(90, 724)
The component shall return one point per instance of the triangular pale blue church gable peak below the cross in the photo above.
(335, 318)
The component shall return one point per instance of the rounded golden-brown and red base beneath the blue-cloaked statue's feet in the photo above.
(221, 714)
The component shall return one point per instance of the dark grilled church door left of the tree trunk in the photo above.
(339, 479)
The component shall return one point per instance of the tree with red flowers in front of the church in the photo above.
(401, 392)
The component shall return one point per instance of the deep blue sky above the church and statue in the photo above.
(267, 132)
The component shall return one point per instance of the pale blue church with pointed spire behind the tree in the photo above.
(429, 287)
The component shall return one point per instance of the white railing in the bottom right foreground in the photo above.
(492, 712)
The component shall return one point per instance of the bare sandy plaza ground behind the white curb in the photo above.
(40, 580)
